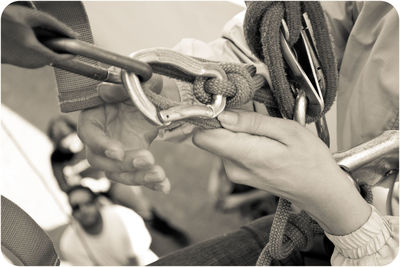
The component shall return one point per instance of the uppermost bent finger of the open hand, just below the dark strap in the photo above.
(92, 133)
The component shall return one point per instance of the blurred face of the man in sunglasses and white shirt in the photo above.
(84, 208)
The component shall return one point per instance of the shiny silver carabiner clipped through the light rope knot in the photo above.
(176, 62)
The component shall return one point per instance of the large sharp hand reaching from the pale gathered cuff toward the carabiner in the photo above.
(286, 159)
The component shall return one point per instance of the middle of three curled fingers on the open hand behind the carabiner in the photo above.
(140, 160)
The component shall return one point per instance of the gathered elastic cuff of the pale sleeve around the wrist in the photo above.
(366, 240)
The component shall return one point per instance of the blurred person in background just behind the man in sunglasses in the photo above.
(70, 168)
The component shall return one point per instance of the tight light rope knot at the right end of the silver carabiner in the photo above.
(238, 88)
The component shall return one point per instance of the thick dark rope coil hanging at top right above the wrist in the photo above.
(262, 26)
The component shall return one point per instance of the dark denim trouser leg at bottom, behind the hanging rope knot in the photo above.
(242, 248)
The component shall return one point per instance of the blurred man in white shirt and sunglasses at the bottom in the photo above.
(104, 233)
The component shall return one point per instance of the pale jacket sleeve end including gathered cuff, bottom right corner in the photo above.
(375, 243)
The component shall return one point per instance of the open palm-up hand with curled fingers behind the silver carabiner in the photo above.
(117, 136)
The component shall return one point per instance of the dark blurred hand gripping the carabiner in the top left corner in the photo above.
(19, 45)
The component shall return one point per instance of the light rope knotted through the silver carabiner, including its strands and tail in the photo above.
(241, 86)
